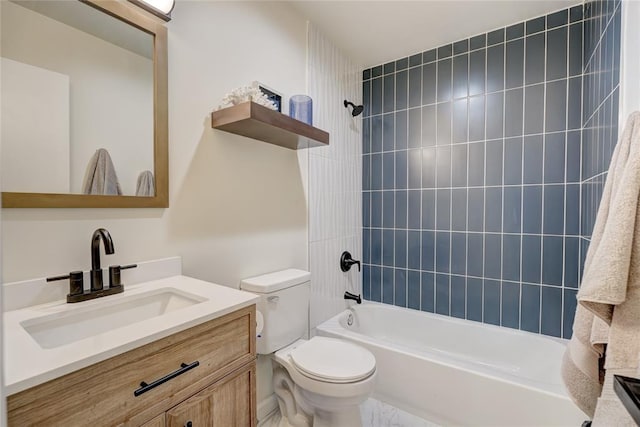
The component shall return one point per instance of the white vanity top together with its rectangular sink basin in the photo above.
(47, 341)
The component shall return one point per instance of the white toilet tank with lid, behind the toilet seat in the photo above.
(284, 305)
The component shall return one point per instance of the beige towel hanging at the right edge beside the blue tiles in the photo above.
(607, 323)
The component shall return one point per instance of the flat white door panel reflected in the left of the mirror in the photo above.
(34, 109)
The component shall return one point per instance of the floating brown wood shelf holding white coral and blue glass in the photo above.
(261, 123)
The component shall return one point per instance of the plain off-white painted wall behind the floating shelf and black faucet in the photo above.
(237, 206)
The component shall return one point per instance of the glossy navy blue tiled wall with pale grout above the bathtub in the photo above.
(478, 200)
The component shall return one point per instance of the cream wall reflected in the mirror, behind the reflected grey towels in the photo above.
(111, 91)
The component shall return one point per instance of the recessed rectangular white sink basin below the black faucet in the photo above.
(105, 314)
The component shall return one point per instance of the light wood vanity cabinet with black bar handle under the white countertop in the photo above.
(220, 390)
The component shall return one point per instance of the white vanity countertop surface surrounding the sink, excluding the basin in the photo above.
(26, 364)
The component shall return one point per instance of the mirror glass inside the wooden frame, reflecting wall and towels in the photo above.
(77, 101)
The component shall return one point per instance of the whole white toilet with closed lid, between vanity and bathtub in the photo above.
(320, 381)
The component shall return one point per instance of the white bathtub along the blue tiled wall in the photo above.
(452, 371)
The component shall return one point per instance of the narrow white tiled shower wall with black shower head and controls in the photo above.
(335, 177)
